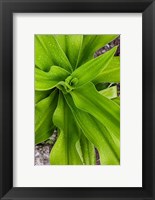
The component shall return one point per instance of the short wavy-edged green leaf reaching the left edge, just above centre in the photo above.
(49, 80)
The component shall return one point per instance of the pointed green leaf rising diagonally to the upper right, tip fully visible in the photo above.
(91, 69)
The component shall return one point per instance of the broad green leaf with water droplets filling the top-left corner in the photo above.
(48, 52)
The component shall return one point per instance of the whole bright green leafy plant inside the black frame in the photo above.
(68, 98)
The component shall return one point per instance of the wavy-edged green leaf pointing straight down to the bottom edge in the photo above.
(64, 151)
